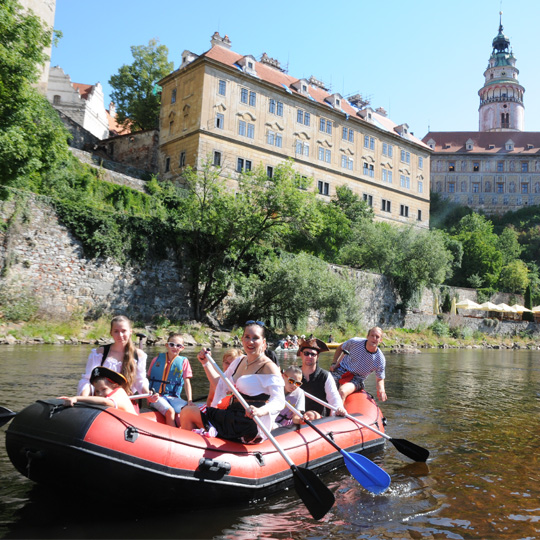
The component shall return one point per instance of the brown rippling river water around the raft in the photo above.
(478, 412)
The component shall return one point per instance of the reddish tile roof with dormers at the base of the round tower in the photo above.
(484, 142)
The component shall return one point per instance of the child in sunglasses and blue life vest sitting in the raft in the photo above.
(168, 373)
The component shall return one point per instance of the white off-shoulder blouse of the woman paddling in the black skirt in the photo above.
(253, 385)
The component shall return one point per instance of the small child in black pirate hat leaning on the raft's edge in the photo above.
(109, 390)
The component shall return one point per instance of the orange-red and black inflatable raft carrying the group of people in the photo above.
(76, 446)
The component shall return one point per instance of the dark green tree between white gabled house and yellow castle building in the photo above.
(137, 104)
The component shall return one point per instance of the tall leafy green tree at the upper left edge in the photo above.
(32, 138)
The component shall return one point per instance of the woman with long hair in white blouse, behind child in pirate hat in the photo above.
(121, 356)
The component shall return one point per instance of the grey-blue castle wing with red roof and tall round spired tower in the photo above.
(495, 169)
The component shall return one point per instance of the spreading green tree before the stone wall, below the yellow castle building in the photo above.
(225, 234)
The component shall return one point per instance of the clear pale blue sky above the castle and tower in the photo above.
(423, 61)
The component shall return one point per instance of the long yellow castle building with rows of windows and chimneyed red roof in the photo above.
(243, 113)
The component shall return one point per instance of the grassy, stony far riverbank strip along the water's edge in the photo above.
(79, 332)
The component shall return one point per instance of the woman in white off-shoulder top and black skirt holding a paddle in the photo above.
(259, 381)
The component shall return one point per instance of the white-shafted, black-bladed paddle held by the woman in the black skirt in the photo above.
(317, 498)
